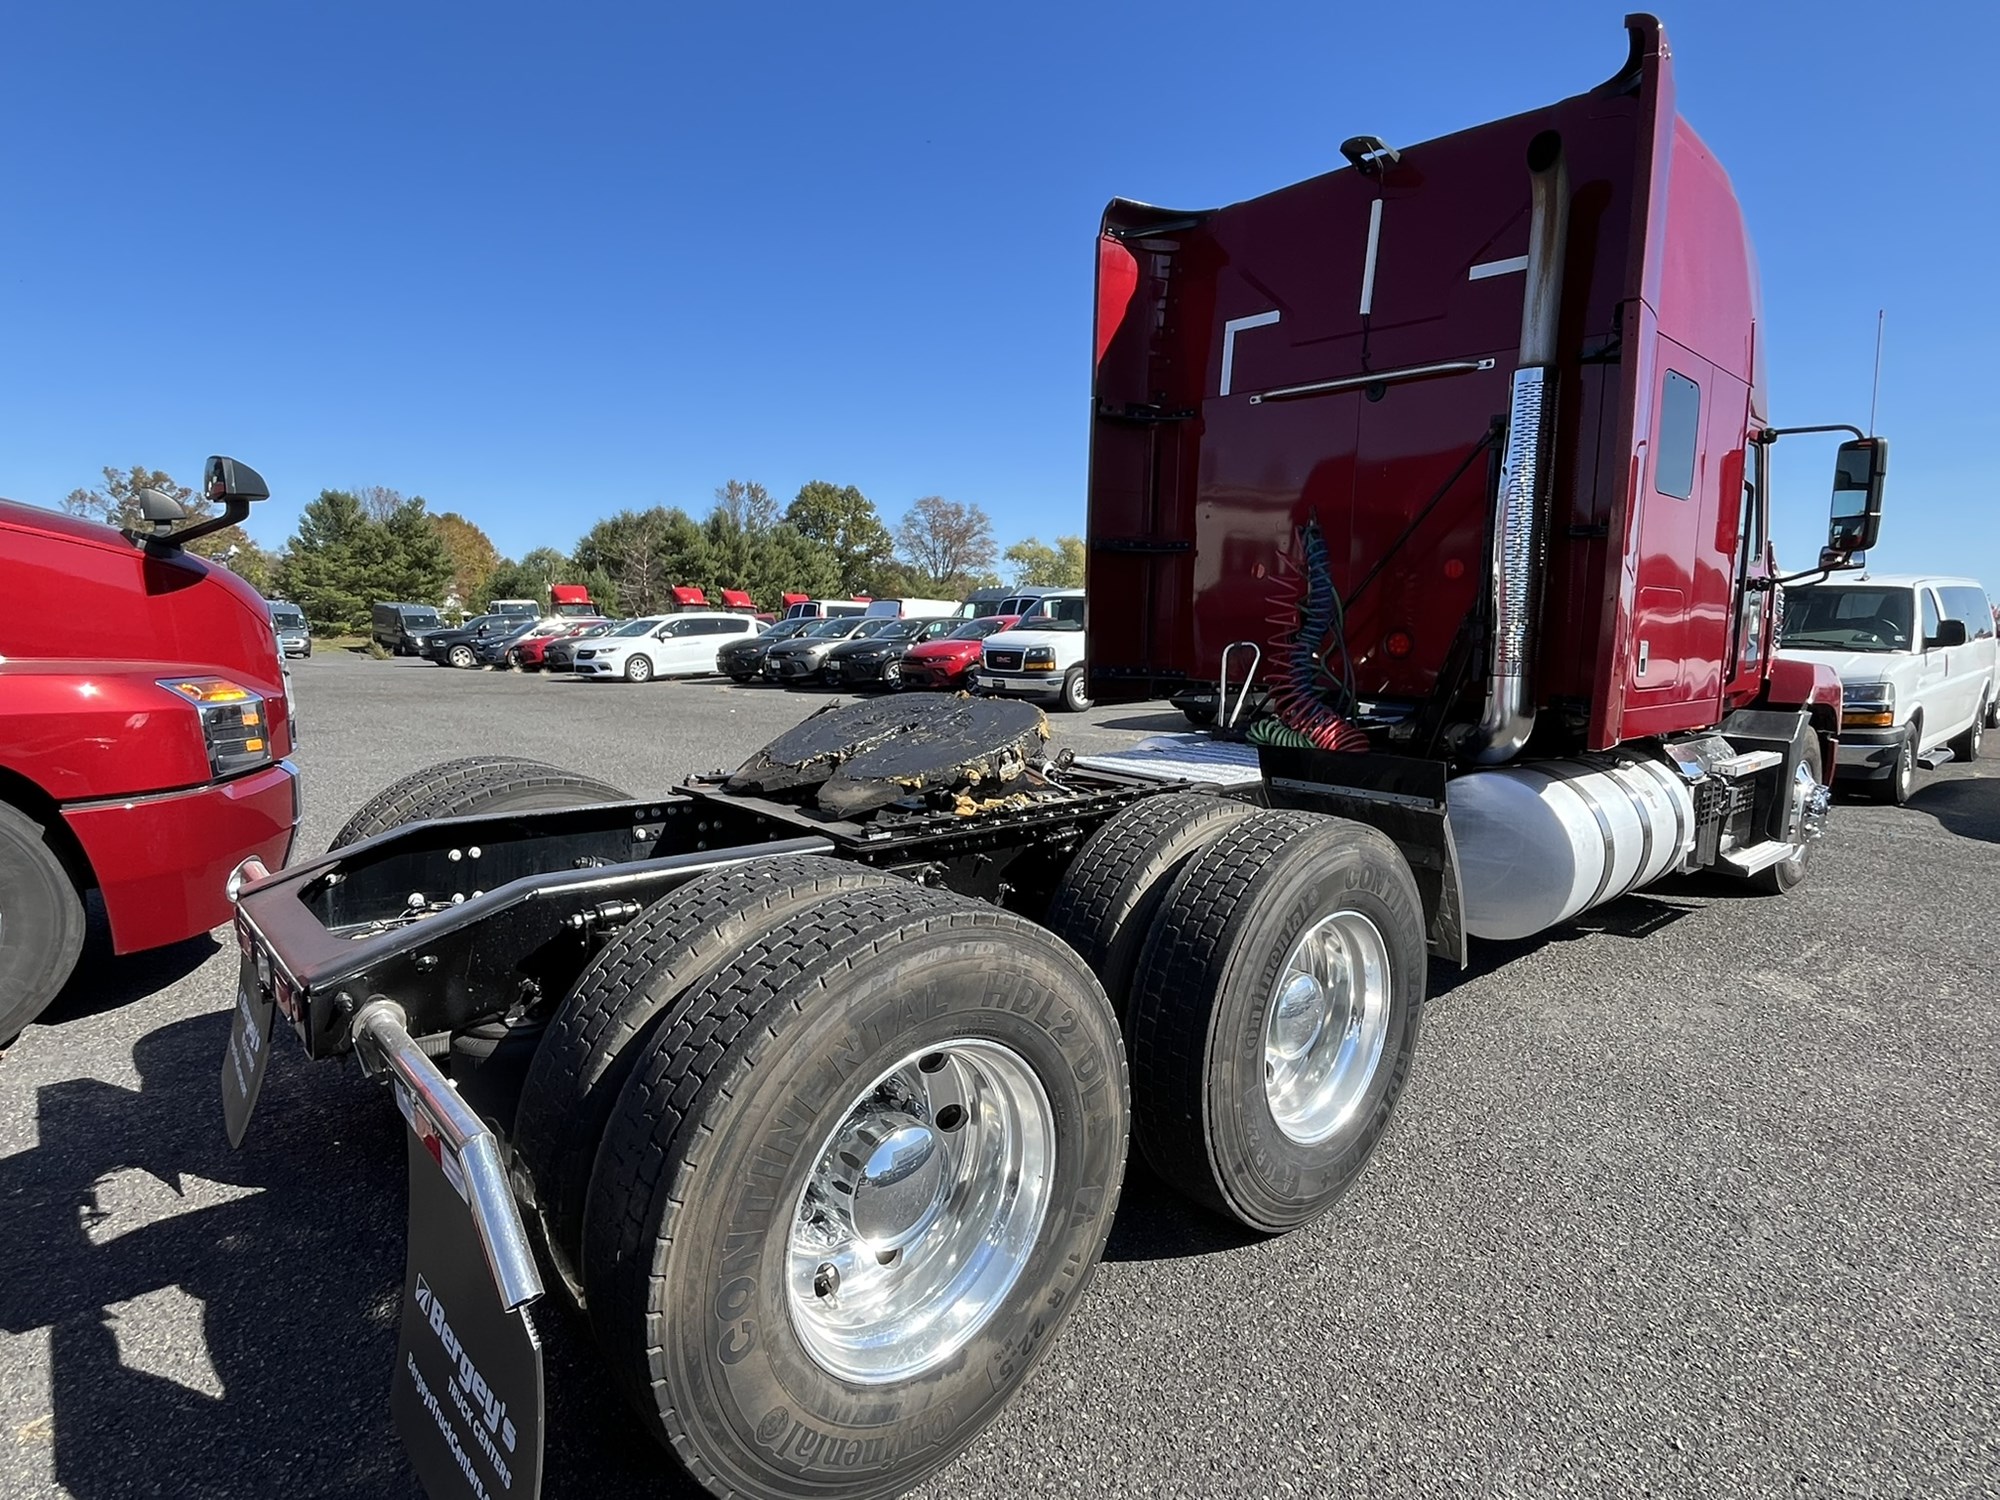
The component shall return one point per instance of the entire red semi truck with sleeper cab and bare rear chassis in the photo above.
(813, 1083)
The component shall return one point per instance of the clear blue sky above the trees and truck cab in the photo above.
(545, 263)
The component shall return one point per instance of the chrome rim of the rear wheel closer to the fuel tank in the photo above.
(1325, 1027)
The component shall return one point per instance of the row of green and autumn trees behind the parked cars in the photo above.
(357, 547)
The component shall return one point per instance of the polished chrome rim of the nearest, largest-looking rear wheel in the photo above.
(921, 1213)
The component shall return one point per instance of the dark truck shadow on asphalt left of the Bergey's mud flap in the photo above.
(187, 1291)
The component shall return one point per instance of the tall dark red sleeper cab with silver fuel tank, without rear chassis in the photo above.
(1469, 445)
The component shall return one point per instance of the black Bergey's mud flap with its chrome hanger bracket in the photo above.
(467, 1393)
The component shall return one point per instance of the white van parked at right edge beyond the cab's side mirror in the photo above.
(1919, 671)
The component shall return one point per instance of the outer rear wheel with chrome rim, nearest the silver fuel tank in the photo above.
(1275, 1017)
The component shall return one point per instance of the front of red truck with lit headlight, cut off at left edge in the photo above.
(143, 745)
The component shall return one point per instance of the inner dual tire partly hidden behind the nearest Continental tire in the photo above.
(635, 985)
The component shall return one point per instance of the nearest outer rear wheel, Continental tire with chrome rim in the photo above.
(803, 1065)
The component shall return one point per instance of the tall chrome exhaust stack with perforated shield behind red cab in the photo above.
(1521, 515)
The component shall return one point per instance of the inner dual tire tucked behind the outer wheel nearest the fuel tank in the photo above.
(1115, 885)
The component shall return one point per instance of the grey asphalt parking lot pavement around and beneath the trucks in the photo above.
(1693, 1197)
